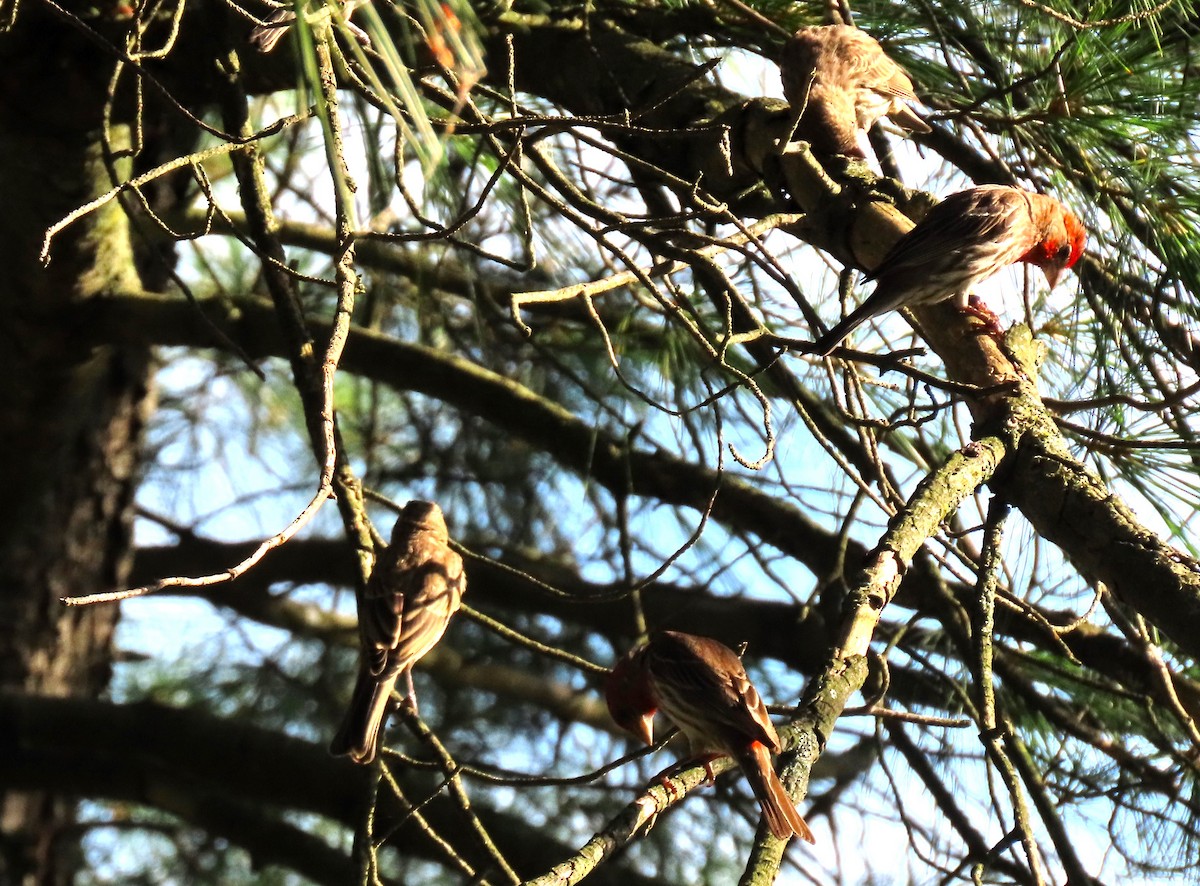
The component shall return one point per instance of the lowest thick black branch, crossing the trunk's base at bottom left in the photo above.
(199, 767)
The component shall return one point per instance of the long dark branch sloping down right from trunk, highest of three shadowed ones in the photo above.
(501, 400)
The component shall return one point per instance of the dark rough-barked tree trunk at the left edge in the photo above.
(74, 415)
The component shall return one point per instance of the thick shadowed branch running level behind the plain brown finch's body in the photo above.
(733, 620)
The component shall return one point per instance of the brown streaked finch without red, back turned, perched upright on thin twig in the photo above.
(416, 588)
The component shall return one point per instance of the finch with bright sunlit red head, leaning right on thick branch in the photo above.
(962, 242)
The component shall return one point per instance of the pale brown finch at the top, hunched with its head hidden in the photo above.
(839, 81)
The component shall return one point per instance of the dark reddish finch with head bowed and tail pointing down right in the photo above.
(700, 684)
